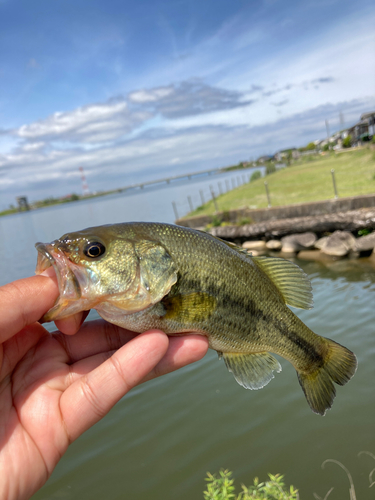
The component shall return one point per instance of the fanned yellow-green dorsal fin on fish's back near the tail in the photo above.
(293, 284)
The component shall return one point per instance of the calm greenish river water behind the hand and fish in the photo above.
(161, 439)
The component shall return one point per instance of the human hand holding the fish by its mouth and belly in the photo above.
(53, 387)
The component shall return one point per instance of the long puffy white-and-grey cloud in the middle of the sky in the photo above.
(109, 121)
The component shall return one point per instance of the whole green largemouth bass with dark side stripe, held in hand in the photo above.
(148, 275)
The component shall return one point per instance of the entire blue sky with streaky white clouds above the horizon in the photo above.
(138, 90)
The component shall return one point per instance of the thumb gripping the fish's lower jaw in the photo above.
(24, 302)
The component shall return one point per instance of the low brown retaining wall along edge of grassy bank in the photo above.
(285, 212)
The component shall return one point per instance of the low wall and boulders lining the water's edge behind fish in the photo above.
(331, 229)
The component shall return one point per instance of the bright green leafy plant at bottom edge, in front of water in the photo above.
(221, 487)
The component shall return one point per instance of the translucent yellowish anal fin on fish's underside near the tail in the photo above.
(252, 371)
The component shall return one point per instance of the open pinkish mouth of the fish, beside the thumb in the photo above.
(69, 279)
